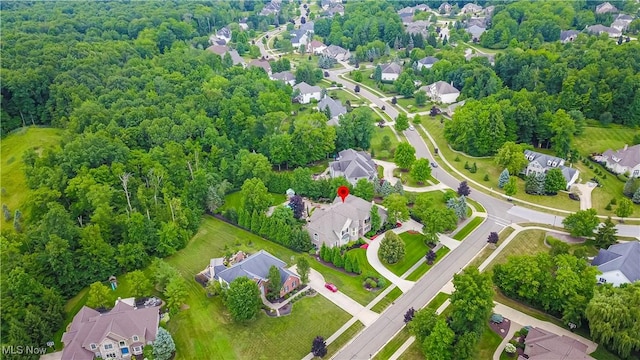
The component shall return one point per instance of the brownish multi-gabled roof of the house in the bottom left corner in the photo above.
(122, 322)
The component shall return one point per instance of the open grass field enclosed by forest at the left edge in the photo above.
(14, 188)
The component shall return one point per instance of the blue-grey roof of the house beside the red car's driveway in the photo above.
(255, 267)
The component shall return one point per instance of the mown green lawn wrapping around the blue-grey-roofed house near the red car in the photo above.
(205, 331)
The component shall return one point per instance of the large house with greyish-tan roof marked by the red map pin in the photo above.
(341, 222)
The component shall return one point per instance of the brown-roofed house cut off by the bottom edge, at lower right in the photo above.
(545, 345)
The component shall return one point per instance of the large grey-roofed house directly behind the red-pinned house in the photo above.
(353, 165)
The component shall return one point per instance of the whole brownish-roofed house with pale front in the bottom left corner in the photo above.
(117, 334)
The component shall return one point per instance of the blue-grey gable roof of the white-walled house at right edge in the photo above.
(623, 257)
